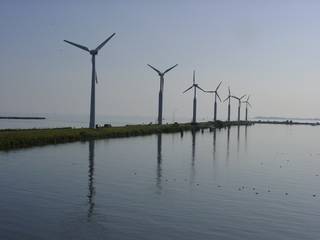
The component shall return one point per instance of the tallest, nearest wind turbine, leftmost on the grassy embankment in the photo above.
(94, 78)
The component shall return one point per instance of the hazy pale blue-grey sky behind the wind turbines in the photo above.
(268, 49)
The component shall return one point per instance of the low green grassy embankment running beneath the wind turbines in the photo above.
(22, 138)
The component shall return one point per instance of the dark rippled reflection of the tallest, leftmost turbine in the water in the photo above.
(91, 193)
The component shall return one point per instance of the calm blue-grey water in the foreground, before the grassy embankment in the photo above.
(259, 182)
